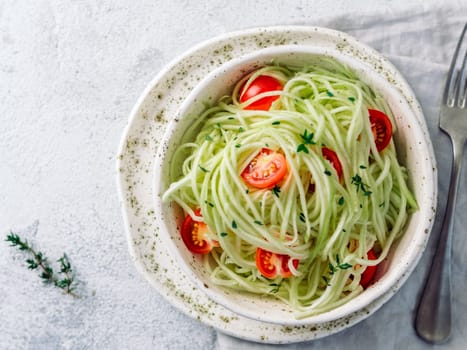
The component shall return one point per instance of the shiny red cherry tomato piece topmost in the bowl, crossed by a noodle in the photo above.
(263, 83)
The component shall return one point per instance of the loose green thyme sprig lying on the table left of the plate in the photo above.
(64, 279)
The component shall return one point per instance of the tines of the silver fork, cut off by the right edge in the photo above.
(456, 74)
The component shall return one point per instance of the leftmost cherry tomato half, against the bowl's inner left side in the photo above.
(194, 235)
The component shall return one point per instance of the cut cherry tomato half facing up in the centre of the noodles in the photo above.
(265, 170)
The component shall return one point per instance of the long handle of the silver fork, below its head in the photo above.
(433, 318)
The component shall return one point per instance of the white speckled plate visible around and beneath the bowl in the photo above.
(135, 159)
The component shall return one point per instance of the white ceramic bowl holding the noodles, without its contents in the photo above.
(414, 151)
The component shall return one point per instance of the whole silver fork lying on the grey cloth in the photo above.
(433, 318)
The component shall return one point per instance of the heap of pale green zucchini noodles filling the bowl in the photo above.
(325, 220)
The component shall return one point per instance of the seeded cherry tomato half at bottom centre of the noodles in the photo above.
(270, 264)
